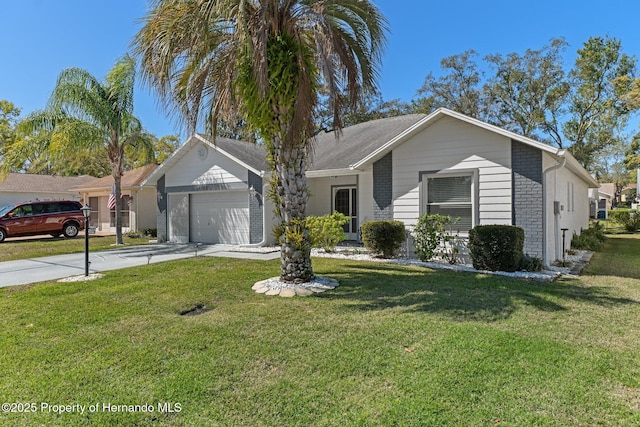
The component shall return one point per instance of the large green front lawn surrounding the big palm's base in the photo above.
(393, 345)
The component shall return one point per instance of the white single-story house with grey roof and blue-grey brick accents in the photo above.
(394, 168)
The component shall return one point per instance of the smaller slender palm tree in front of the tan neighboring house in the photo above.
(86, 115)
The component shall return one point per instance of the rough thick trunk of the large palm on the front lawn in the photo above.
(291, 196)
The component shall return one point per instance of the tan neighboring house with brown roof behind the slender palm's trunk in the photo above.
(138, 203)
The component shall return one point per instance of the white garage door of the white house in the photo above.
(221, 217)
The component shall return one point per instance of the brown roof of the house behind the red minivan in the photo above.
(33, 183)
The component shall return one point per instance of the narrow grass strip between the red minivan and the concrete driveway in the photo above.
(12, 249)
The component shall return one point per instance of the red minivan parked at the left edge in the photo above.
(33, 218)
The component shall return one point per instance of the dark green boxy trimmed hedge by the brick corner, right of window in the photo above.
(496, 247)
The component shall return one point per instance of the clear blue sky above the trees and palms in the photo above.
(42, 37)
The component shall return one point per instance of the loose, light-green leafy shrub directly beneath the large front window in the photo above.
(434, 237)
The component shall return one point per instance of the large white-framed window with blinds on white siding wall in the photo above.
(451, 196)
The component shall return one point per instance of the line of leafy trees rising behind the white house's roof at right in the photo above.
(586, 109)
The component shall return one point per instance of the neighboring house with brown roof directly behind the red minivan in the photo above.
(24, 187)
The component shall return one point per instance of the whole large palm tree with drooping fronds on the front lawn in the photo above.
(266, 61)
